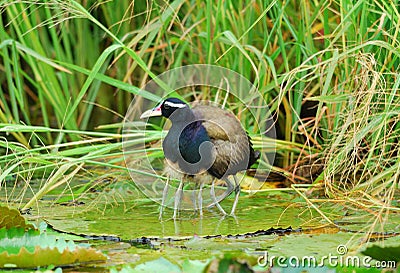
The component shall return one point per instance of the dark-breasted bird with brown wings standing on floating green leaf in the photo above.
(203, 140)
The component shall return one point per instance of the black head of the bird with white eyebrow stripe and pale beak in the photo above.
(166, 108)
